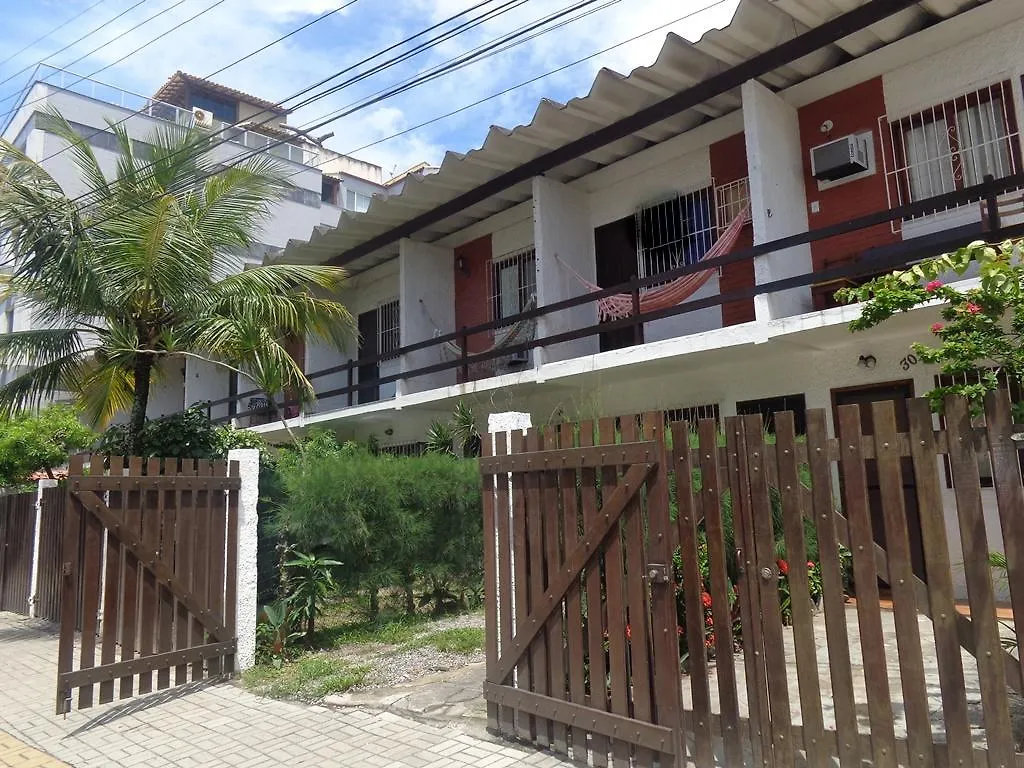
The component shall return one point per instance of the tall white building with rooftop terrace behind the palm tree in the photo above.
(326, 184)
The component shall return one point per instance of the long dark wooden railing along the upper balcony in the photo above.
(869, 264)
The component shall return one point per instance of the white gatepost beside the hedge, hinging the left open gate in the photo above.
(246, 606)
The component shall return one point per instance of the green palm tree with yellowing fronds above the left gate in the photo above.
(143, 268)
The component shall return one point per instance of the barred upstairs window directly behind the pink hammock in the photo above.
(676, 232)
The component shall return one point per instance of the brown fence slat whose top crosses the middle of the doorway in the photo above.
(902, 582)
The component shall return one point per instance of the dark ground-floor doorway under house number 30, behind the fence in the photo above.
(899, 393)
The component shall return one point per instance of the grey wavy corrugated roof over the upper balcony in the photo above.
(757, 27)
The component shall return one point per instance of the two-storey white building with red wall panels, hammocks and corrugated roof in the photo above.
(917, 107)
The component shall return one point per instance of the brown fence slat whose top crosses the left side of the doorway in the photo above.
(866, 575)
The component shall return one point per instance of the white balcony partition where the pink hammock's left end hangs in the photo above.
(563, 231)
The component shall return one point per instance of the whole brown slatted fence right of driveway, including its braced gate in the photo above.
(775, 667)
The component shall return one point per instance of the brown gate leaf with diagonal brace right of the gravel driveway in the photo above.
(582, 641)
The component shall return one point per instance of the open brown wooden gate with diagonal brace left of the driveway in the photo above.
(156, 576)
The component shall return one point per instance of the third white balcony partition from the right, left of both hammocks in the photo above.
(426, 305)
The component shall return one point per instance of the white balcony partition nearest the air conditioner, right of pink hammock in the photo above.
(779, 198)
